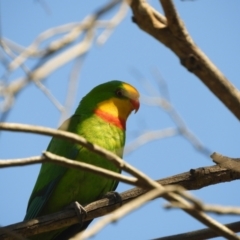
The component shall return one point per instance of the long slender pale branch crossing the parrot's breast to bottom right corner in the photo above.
(142, 178)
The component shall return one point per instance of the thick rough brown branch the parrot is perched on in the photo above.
(192, 180)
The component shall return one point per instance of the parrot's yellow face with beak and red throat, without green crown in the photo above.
(117, 108)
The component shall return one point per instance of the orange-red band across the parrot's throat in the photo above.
(108, 117)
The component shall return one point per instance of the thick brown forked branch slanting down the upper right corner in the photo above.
(173, 34)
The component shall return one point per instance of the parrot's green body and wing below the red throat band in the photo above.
(54, 181)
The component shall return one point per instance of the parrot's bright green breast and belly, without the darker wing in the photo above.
(83, 186)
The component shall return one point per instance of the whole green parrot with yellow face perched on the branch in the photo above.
(101, 119)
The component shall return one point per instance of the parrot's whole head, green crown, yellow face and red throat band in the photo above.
(113, 101)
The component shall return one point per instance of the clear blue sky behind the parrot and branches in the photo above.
(214, 26)
